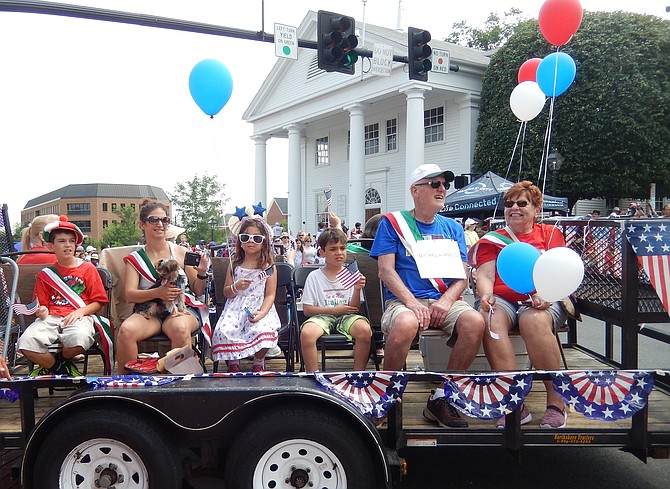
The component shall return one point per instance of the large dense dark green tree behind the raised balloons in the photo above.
(612, 125)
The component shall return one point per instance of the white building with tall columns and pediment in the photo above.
(363, 134)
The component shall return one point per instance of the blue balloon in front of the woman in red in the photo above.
(515, 266)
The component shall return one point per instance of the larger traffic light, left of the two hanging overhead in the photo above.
(336, 42)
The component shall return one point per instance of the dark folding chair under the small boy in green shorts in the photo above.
(333, 341)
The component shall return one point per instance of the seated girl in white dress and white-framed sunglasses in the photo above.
(249, 322)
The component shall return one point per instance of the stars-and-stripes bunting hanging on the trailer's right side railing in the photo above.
(651, 243)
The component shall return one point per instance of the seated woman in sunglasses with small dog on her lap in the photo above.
(142, 284)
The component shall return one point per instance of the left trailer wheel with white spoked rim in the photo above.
(107, 448)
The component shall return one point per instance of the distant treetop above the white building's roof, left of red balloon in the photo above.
(495, 33)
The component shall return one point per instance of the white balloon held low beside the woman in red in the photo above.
(557, 273)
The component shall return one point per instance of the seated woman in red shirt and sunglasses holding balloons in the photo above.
(506, 309)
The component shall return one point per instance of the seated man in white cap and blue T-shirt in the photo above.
(416, 300)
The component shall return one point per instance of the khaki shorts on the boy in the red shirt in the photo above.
(42, 333)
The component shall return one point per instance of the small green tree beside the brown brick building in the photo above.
(199, 203)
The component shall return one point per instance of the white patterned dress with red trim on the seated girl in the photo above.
(236, 337)
